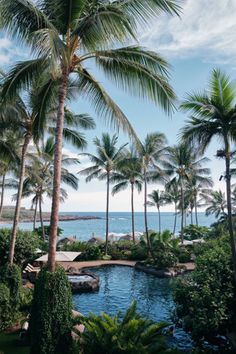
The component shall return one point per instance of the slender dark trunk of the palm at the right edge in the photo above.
(229, 208)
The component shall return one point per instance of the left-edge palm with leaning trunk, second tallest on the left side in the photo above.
(25, 120)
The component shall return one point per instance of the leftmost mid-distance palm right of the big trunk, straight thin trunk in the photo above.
(104, 163)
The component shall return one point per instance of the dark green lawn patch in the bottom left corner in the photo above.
(8, 344)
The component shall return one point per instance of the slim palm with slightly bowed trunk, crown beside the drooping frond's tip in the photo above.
(151, 152)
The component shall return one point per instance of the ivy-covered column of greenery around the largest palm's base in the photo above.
(51, 314)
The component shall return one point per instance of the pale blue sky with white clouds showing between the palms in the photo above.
(202, 38)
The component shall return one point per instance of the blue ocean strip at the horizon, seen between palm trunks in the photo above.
(120, 223)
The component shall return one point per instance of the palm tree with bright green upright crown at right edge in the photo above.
(214, 115)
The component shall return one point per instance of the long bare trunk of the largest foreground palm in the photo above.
(57, 173)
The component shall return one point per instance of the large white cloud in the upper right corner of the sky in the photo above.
(206, 28)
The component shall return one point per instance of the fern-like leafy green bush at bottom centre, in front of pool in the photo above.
(114, 335)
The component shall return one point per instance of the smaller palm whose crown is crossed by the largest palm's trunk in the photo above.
(39, 177)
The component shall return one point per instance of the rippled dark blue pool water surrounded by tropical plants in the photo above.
(120, 285)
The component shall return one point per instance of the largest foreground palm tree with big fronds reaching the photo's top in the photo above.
(66, 35)
